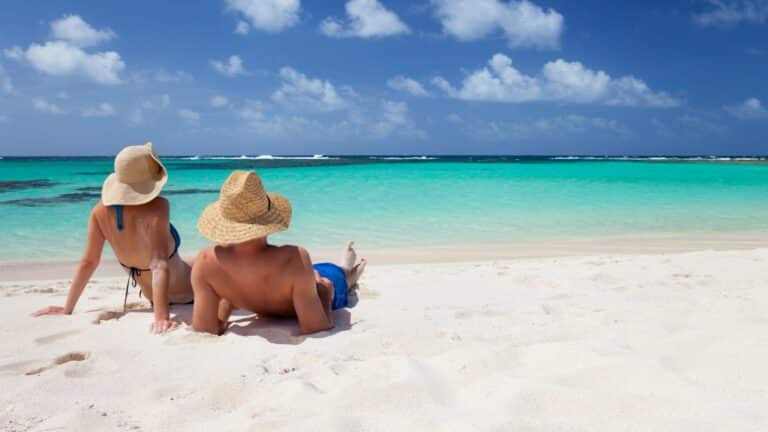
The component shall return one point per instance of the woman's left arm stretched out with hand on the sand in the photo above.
(85, 270)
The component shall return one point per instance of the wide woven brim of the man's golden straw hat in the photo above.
(215, 227)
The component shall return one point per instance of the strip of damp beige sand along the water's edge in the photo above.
(23, 270)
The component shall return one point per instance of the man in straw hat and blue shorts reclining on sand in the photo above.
(244, 271)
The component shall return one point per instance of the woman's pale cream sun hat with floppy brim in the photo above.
(138, 178)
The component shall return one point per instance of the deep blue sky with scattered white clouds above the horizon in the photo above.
(386, 76)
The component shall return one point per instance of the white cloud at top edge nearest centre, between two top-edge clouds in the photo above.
(365, 19)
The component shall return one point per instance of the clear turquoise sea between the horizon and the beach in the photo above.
(392, 203)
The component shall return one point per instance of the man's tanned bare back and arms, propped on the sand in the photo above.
(260, 278)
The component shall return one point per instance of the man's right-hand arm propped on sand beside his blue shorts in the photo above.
(306, 301)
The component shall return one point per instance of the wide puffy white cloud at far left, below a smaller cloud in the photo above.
(60, 58)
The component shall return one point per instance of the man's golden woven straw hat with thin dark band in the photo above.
(244, 211)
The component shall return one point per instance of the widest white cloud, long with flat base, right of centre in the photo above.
(559, 81)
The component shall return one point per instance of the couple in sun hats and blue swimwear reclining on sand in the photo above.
(242, 271)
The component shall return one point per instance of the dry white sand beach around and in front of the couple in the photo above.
(674, 342)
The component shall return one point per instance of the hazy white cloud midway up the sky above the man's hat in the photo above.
(299, 91)
